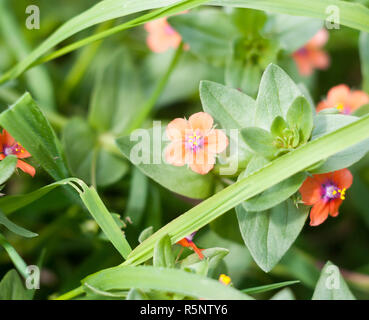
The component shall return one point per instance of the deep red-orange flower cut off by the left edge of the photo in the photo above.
(8, 146)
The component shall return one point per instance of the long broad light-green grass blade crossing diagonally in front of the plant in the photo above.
(277, 171)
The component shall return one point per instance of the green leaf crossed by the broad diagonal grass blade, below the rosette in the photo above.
(273, 196)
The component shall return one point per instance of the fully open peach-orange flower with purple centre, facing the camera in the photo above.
(194, 142)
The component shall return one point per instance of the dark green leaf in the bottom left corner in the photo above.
(12, 287)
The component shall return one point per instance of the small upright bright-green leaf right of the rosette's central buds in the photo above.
(300, 116)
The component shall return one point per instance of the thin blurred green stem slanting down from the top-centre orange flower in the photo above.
(149, 105)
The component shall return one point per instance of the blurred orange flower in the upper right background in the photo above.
(311, 56)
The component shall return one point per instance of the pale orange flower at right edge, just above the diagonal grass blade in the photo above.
(345, 100)
